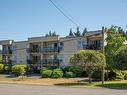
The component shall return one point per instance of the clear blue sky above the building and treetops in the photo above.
(20, 19)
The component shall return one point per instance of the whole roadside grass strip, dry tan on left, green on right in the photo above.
(64, 82)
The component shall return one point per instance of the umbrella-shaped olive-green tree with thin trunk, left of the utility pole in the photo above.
(89, 60)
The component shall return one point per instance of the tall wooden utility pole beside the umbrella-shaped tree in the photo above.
(103, 51)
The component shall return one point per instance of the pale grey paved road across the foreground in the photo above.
(20, 89)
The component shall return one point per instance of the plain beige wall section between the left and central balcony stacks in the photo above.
(19, 55)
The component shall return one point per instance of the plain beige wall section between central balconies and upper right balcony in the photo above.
(71, 45)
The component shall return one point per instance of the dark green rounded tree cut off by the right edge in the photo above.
(120, 59)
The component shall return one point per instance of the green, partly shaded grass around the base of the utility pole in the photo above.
(107, 84)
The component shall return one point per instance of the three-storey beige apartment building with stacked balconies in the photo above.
(53, 51)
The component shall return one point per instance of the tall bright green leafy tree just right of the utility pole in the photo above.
(115, 41)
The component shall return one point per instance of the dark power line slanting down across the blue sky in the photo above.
(61, 11)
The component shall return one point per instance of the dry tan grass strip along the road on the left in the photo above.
(36, 80)
